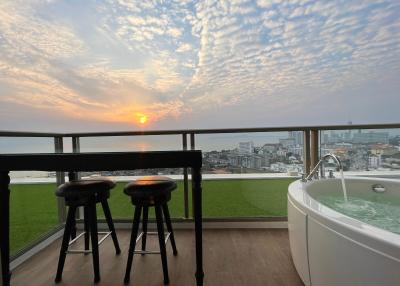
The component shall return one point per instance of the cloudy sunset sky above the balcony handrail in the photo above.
(126, 65)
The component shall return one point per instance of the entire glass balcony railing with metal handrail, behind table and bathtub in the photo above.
(246, 172)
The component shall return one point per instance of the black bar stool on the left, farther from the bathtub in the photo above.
(86, 193)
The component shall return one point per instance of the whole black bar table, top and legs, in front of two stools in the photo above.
(111, 161)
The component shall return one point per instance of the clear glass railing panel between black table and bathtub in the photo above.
(247, 174)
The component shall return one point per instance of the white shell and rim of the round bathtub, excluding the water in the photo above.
(332, 249)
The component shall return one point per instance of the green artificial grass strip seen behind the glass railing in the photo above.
(34, 206)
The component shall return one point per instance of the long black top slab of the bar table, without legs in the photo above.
(100, 161)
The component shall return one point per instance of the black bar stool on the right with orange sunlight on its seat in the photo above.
(150, 191)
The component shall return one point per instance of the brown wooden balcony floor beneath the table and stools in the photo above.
(231, 257)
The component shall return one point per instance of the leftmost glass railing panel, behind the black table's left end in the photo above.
(33, 205)
